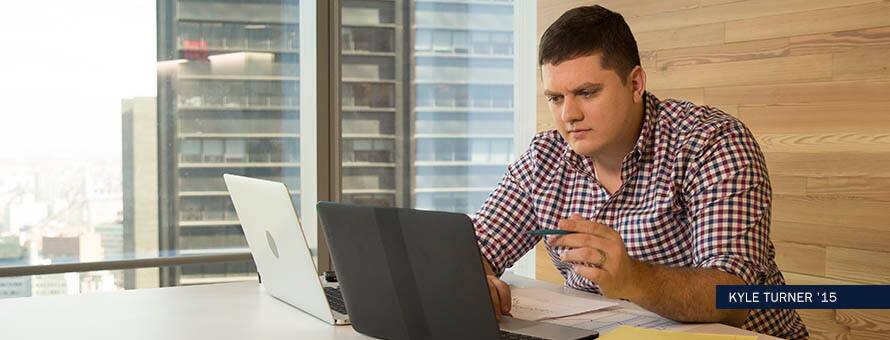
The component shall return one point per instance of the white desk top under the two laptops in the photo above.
(220, 311)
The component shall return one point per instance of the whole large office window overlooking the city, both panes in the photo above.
(208, 87)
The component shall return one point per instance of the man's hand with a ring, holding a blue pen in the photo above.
(597, 253)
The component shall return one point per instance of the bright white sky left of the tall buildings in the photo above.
(64, 68)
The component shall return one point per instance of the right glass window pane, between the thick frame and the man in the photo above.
(452, 137)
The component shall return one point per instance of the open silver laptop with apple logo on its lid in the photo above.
(280, 250)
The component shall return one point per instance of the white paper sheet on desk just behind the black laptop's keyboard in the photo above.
(537, 304)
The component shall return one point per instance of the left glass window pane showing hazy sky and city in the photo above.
(147, 138)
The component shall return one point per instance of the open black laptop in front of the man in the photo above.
(412, 274)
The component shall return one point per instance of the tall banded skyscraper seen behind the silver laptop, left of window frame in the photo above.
(228, 104)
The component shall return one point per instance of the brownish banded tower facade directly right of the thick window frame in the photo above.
(374, 139)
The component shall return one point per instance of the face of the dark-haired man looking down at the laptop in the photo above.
(592, 108)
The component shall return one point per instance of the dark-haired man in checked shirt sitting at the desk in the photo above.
(668, 199)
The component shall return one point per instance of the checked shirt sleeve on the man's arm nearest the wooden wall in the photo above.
(729, 206)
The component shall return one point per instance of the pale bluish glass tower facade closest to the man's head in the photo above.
(462, 109)
